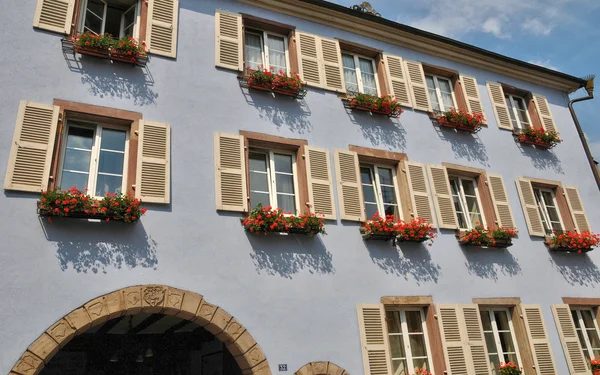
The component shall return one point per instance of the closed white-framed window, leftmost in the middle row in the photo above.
(94, 158)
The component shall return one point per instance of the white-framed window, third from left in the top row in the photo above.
(360, 74)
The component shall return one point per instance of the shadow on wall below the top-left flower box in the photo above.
(114, 80)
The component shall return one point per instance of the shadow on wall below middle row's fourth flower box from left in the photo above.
(490, 263)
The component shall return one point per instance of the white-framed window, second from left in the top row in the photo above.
(266, 50)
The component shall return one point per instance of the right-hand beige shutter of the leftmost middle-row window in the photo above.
(153, 177)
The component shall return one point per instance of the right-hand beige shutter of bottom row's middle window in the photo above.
(538, 340)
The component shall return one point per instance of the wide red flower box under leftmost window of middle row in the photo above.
(73, 202)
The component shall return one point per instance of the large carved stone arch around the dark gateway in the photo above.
(151, 299)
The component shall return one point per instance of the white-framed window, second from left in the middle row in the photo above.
(273, 179)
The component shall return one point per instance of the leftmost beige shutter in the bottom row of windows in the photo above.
(374, 339)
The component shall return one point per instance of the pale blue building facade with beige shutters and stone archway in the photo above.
(184, 131)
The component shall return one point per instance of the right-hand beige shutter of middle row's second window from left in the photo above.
(318, 176)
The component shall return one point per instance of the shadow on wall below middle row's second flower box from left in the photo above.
(285, 256)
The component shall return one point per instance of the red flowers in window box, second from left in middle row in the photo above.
(268, 220)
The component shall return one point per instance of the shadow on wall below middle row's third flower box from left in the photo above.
(415, 260)
